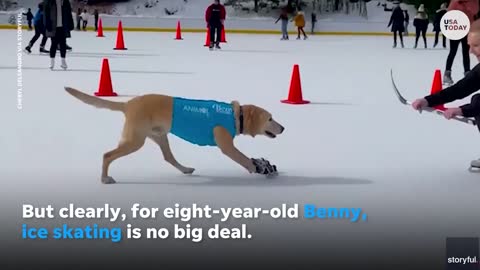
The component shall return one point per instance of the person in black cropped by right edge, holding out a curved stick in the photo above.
(463, 88)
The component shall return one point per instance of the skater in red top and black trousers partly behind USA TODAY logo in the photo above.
(470, 8)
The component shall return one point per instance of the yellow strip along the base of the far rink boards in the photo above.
(229, 31)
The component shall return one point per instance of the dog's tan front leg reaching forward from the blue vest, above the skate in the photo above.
(225, 142)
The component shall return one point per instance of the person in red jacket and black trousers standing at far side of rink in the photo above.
(215, 17)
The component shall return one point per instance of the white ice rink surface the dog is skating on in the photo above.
(355, 145)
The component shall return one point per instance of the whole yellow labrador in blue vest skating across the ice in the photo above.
(202, 122)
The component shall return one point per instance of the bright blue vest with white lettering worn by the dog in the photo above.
(194, 120)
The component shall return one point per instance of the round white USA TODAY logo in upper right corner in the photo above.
(455, 25)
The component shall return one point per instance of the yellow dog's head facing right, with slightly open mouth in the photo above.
(258, 121)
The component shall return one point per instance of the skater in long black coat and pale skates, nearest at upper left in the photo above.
(58, 21)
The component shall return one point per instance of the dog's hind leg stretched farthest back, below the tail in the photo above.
(125, 147)
